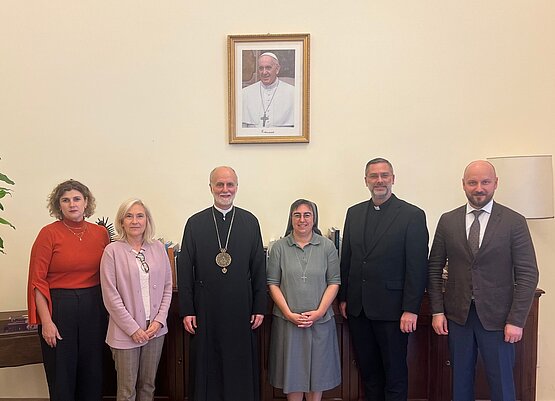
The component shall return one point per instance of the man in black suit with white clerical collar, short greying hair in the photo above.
(383, 276)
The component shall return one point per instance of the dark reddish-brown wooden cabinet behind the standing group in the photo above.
(428, 360)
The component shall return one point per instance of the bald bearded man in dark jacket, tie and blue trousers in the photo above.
(492, 277)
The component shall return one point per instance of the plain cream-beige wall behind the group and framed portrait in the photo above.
(131, 98)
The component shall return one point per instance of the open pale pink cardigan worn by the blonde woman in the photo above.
(121, 291)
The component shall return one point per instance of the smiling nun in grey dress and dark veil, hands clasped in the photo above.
(303, 279)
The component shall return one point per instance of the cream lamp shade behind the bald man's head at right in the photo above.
(525, 184)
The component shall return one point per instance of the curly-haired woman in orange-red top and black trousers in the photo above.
(64, 296)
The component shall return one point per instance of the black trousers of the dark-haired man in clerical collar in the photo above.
(381, 355)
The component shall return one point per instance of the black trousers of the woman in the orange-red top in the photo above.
(74, 367)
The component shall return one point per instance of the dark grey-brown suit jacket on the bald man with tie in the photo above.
(502, 277)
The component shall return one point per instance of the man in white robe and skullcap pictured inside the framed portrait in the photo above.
(270, 101)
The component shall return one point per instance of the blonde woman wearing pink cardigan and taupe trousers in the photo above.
(136, 282)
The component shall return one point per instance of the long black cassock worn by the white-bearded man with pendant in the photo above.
(224, 352)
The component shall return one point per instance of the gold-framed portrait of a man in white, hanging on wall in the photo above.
(269, 88)
